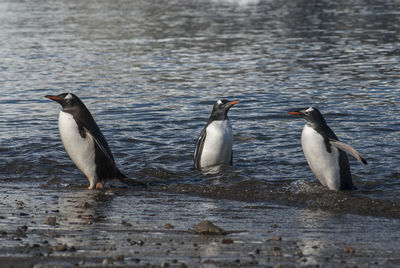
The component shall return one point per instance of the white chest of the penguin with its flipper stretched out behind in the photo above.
(324, 164)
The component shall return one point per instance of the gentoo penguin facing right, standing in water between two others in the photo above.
(214, 145)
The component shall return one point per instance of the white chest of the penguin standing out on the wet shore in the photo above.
(80, 150)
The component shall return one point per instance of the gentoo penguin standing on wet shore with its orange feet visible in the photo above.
(85, 144)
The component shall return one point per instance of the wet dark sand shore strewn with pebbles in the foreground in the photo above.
(69, 226)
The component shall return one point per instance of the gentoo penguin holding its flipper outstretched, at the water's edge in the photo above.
(325, 154)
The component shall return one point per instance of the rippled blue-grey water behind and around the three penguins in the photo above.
(150, 71)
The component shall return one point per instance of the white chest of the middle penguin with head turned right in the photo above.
(217, 148)
